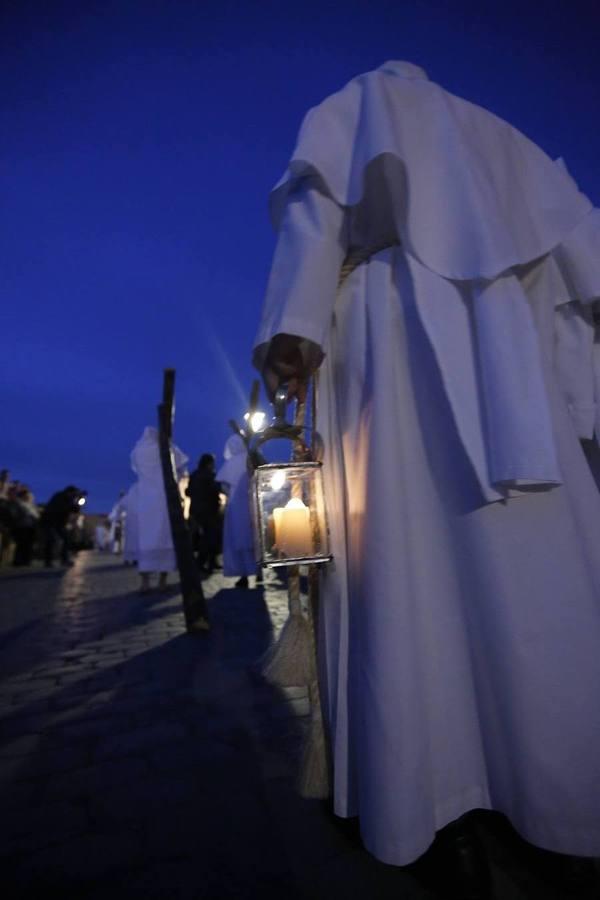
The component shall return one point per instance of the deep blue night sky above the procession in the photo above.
(139, 141)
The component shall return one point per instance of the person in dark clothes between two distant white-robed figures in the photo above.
(205, 512)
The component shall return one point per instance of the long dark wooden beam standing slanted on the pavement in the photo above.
(194, 604)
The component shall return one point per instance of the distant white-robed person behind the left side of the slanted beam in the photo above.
(154, 540)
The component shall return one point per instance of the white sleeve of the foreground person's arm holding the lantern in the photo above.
(304, 275)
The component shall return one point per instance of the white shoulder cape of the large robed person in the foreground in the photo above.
(472, 196)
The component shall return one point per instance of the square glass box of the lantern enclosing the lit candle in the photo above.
(289, 509)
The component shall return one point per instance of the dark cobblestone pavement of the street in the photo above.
(137, 761)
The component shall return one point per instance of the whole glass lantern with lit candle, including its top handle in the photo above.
(287, 500)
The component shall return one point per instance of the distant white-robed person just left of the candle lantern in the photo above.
(238, 540)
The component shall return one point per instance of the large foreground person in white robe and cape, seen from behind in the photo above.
(460, 619)
